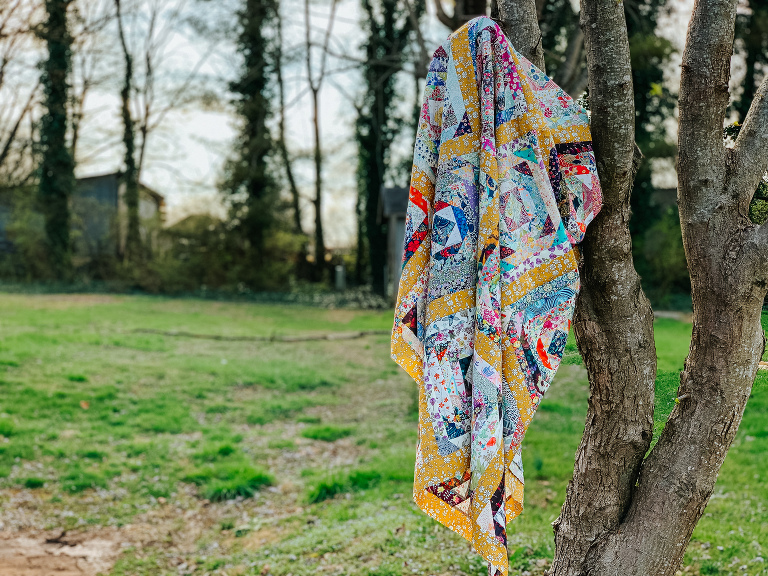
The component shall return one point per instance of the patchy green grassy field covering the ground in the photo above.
(208, 456)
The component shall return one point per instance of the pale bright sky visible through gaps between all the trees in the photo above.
(186, 153)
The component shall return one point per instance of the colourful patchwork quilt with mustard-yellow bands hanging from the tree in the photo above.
(503, 186)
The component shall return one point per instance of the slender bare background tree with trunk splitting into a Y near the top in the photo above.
(315, 82)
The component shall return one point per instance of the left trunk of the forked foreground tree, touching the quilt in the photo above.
(614, 321)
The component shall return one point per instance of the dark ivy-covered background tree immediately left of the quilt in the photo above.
(388, 24)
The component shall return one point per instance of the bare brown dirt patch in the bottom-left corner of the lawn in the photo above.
(59, 554)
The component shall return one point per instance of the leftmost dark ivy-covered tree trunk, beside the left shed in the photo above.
(57, 168)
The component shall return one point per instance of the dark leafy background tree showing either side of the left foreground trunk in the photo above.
(656, 242)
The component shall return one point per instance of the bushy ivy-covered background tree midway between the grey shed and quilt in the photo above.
(249, 181)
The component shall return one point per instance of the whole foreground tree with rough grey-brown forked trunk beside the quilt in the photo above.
(629, 510)
